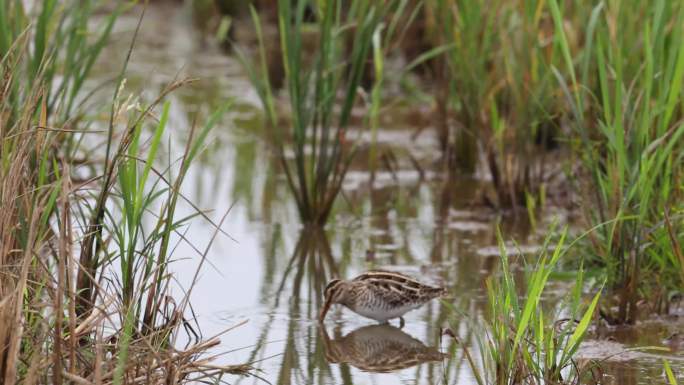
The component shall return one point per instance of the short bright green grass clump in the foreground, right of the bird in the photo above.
(520, 341)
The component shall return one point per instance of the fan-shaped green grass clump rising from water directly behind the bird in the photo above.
(314, 146)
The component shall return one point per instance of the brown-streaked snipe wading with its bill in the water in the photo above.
(379, 295)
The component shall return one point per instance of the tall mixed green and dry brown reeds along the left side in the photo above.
(64, 318)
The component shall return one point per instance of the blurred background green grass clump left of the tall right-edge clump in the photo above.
(497, 92)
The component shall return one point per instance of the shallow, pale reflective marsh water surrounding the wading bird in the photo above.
(270, 272)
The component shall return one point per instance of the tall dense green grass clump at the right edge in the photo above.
(624, 95)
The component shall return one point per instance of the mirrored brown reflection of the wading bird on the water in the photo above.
(379, 348)
